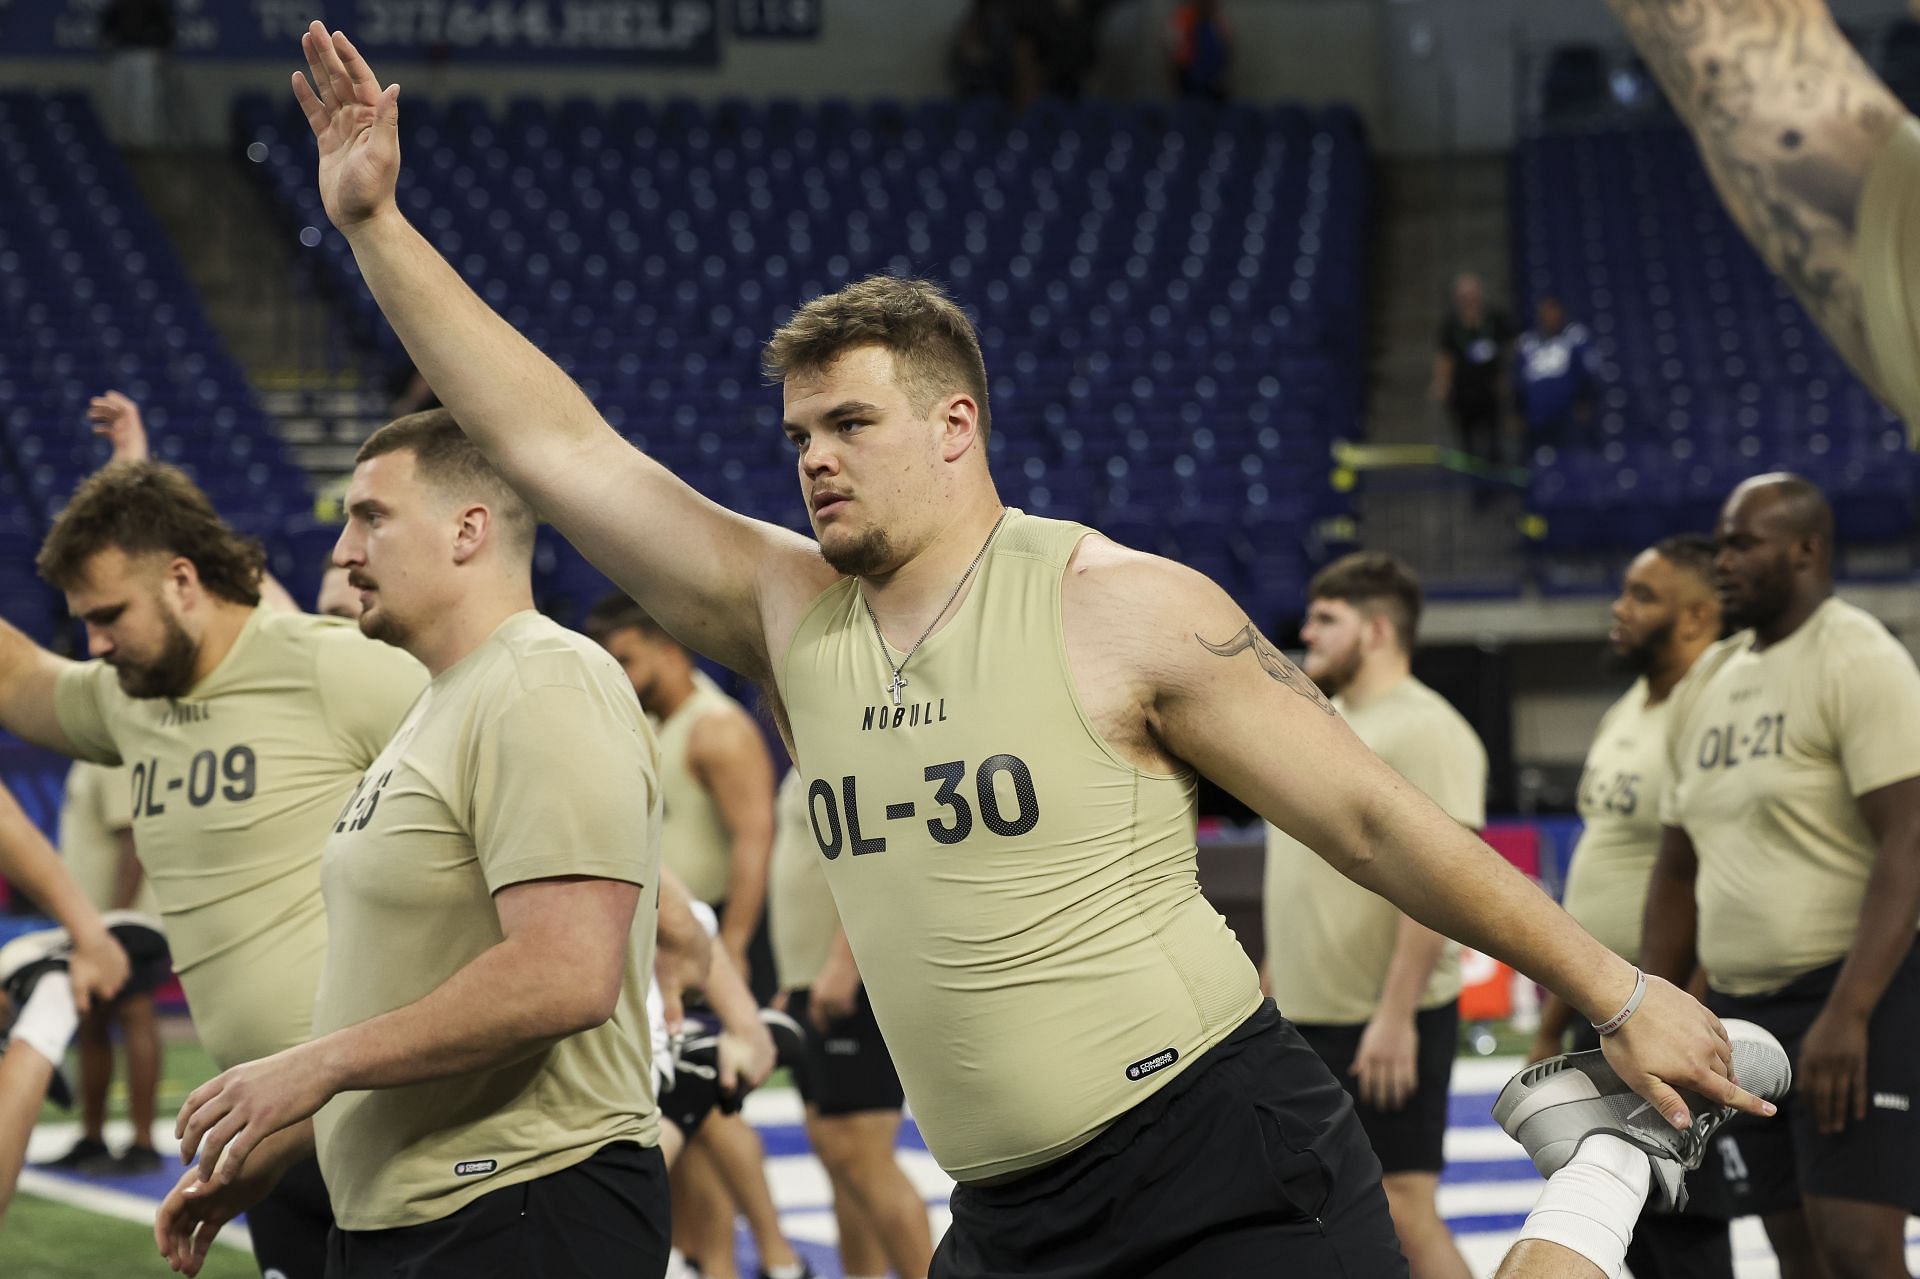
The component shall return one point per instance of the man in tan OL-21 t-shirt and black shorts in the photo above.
(1790, 871)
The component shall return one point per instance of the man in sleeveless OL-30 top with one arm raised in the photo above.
(1007, 802)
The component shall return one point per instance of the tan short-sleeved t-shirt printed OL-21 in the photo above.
(1769, 756)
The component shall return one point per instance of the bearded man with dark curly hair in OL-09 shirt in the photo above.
(245, 729)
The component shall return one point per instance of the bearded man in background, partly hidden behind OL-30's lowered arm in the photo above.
(1374, 992)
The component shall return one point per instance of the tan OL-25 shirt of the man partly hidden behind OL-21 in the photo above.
(1621, 806)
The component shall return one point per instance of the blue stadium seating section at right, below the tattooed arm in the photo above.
(1710, 368)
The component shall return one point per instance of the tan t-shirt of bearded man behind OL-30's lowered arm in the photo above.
(1332, 942)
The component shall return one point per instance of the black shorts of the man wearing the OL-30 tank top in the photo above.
(1247, 1165)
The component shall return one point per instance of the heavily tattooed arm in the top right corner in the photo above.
(1788, 120)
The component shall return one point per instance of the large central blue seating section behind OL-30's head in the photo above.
(1170, 299)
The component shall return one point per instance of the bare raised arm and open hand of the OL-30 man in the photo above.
(723, 585)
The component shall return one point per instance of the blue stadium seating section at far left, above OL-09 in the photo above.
(93, 299)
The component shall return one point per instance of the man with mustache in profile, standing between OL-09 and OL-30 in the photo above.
(479, 1084)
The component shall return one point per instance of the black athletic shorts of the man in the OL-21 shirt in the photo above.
(1877, 1161)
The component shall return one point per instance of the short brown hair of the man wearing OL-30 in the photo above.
(934, 345)
